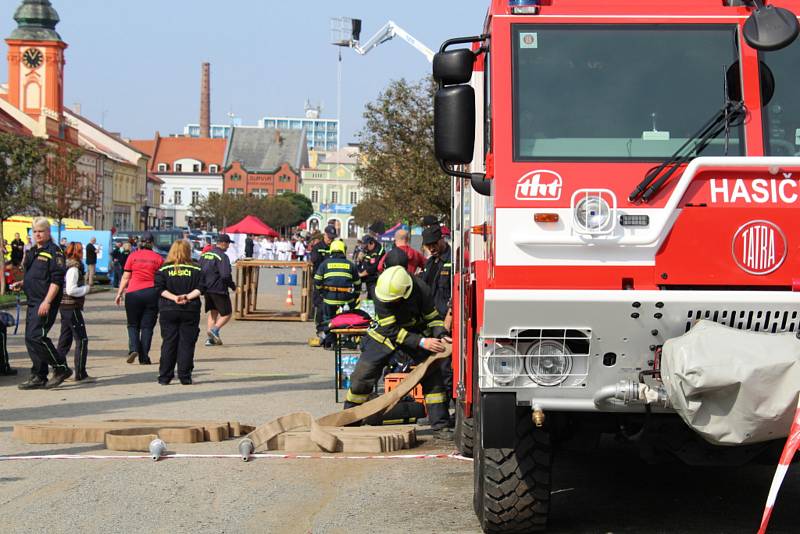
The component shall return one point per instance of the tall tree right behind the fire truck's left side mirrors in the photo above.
(398, 167)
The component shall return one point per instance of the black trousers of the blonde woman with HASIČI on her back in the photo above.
(179, 332)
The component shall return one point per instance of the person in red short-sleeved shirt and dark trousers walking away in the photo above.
(141, 299)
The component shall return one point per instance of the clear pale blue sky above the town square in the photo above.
(139, 60)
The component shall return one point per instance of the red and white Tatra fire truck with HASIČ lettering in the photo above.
(622, 169)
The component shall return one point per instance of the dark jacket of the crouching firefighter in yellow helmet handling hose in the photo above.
(406, 321)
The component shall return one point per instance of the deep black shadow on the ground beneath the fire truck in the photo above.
(614, 491)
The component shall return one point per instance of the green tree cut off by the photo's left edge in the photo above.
(22, 163)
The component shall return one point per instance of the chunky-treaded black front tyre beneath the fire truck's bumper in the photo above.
(512, 486)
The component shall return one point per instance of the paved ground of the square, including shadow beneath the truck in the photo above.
(265, 370)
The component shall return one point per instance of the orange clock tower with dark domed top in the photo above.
(36, 61)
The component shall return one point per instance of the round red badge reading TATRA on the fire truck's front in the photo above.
(759, 247)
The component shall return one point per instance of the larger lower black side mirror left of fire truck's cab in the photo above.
(454, 124)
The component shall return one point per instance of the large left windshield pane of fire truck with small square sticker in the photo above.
(606, 92)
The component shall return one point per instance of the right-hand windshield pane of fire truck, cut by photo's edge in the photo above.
(782, 114)
